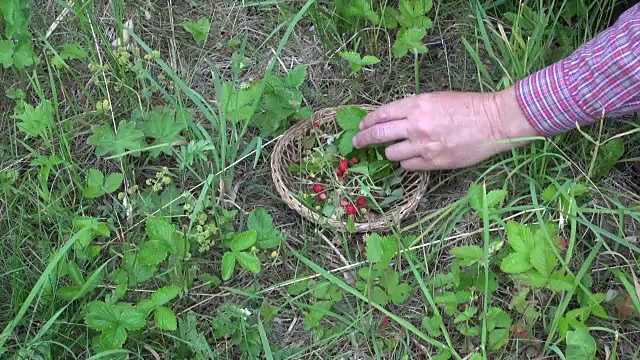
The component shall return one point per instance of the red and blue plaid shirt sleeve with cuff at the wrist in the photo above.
(601, 78)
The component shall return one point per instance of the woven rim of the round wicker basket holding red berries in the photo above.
(394, 216)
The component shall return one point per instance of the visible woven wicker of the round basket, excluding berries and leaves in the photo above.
(287, 149)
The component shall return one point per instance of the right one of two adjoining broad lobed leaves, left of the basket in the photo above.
(164, 129)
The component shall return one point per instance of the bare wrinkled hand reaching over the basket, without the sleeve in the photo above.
(445, 130)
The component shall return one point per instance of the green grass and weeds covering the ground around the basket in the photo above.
(313, 297)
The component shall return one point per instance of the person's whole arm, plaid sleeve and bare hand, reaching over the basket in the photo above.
(449, 130)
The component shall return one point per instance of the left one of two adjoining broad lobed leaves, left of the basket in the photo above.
(107, 141)
